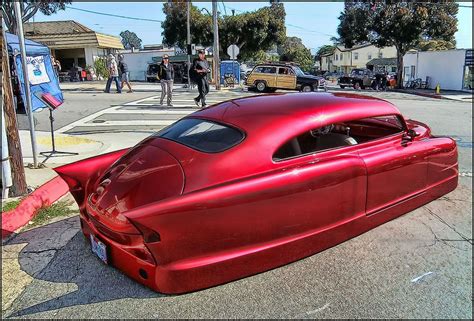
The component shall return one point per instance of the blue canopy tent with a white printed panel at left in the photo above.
(42, 77)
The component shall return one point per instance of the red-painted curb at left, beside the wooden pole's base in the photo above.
(44, 195)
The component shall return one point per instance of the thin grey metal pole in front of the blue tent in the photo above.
(29, 109)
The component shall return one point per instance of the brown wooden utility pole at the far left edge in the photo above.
(19, 186)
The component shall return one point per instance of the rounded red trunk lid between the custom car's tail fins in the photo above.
(144, 175)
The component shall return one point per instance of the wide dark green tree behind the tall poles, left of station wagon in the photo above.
(250, 31)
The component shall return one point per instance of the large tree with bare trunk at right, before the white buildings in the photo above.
(401, 24)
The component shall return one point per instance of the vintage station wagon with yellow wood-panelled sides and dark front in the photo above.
(272, 76)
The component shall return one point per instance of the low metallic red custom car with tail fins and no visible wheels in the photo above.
(255, 183)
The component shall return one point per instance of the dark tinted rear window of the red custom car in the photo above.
(203, 135)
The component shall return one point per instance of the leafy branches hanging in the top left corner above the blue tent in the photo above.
(29, 8)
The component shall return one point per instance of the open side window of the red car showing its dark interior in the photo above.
(339, 135)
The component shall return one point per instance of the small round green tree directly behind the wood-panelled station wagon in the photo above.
(294, 50)
